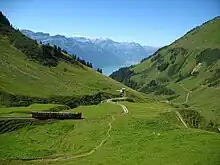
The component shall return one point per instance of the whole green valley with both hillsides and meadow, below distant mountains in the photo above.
(164, 110)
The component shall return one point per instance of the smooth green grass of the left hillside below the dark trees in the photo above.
(21, 76)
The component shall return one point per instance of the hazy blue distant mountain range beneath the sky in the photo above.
(101, 52)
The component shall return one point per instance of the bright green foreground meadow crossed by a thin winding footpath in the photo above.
(149, 134)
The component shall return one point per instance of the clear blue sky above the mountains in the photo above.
(156, 22)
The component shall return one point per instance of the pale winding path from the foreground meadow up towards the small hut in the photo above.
(108, 135)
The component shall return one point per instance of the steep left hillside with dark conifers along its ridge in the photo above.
(41, 73)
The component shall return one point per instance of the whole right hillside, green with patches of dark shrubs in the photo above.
(185, 72)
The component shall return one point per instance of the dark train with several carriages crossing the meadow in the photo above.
(56, 115)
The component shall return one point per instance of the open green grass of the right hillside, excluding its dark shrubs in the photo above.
(203, 99)
